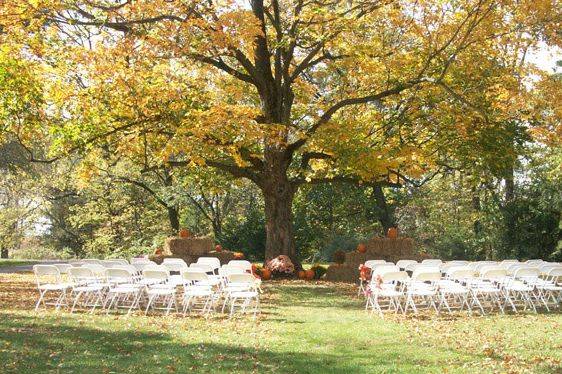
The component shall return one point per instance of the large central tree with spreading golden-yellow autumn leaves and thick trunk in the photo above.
(284, 92)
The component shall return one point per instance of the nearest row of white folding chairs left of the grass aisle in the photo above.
(120, 288)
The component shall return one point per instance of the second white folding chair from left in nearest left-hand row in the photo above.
(86, 284)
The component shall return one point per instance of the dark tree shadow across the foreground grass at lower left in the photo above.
(36, 345)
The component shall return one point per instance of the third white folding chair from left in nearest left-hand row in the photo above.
(124, 292)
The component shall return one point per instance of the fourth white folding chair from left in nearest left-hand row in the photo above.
(160, 294)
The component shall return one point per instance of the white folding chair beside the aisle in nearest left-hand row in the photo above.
(241, 291)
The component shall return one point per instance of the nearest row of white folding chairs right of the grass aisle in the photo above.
(462, 288)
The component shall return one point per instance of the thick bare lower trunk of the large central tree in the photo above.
(278, 195)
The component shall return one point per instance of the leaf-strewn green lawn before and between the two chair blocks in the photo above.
(304, 328)
